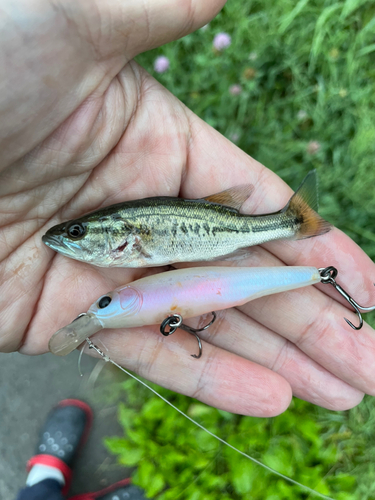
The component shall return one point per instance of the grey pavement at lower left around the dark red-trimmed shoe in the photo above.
(29, 388)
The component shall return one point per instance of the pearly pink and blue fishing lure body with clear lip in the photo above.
(188, 292)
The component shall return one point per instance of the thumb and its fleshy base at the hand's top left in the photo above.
(91, 42)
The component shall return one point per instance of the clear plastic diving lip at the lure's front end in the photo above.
(68, 338)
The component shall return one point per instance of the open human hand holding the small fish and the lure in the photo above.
(84, 127)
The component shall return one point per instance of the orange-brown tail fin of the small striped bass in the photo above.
(303, 206)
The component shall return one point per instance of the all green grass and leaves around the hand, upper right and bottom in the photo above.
(310, 77)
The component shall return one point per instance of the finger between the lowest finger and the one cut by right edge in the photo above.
(236, 332)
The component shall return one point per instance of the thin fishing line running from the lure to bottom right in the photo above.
(252, 459)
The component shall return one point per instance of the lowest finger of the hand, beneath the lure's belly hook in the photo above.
(219, 378)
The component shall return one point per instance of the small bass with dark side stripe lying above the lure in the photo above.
(165, 230)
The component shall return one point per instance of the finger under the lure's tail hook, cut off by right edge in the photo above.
(315, 323)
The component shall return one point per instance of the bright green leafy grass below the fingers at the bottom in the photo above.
(331, 452)
